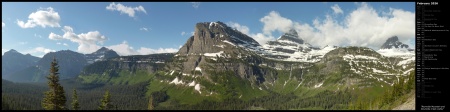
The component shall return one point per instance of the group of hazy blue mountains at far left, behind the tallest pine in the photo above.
(26, 68)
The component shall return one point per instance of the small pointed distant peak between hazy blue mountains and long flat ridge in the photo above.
(101, 55)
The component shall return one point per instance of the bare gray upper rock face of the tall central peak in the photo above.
(211, 37)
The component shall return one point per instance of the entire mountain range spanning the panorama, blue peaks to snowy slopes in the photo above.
(219, 62)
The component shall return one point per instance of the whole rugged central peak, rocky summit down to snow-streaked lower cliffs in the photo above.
(217, 47)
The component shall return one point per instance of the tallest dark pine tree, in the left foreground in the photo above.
(55, 98)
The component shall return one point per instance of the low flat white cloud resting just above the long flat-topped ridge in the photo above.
(124, 49)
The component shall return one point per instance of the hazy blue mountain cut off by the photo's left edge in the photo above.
(13, 61)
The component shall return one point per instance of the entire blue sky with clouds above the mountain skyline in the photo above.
(132, 28)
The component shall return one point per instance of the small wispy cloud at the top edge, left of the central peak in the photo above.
(125, 9)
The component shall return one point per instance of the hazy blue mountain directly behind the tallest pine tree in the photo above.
(70, 65)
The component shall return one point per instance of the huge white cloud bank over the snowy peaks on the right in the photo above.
(363, 26)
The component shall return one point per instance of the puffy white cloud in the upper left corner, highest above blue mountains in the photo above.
(42, 17)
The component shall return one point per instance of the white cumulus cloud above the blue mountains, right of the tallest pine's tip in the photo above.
(87, 41)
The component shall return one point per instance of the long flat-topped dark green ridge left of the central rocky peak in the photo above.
(134, 68)
